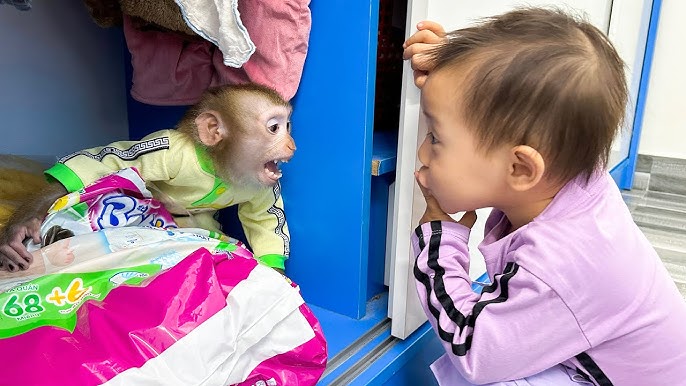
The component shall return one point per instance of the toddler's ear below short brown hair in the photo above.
(526, 168)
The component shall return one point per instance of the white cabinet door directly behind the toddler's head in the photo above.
(625, 21)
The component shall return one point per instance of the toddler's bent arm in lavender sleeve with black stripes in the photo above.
(516, 328)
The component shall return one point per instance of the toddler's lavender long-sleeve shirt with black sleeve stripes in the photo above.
(579, 285)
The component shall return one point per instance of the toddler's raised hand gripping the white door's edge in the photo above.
(428, 35)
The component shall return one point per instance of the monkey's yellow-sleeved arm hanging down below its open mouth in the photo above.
(264, 222)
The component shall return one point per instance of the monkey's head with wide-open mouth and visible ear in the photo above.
(247, 131)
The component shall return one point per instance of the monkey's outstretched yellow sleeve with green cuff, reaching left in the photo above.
(150, 156)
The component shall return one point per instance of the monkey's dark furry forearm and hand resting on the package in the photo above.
(25, 224)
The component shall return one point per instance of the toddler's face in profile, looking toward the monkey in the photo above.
(458, 175)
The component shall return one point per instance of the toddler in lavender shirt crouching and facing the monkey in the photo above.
(521, 113)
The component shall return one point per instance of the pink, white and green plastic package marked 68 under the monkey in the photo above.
(140, 304)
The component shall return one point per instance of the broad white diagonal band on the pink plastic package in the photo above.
(261, 320)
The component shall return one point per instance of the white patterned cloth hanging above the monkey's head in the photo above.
(219, 22)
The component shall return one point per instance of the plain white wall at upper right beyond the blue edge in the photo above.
(664, 123)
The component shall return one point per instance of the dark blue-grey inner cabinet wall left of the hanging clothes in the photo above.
(62, 82)
